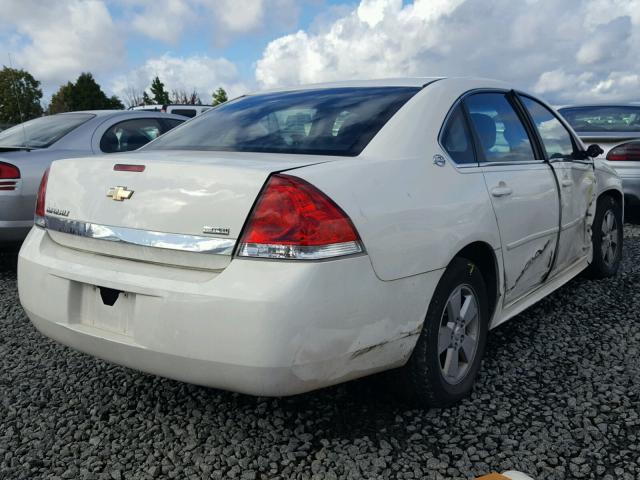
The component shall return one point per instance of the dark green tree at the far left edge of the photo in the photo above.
(20, 96)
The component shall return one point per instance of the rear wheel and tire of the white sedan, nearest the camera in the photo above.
(428, 375)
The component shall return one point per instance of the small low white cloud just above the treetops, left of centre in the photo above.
(201, 73)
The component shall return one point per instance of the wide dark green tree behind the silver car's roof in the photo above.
(84, 94)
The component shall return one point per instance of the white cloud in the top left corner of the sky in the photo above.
(65, 38)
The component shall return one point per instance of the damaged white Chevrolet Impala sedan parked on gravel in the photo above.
(294, 239)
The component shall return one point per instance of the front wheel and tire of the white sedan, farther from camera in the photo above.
(606, 238)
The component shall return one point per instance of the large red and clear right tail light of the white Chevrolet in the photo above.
(294, 220)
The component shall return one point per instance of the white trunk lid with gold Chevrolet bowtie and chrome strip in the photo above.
(183, 208)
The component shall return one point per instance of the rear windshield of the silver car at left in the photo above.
(42, 132)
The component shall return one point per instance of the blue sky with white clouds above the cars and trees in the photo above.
(566, 51)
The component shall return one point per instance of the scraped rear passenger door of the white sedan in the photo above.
(522, 188)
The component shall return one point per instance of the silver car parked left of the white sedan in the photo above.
(26, 151)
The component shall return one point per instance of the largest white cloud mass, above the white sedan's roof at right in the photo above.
(566, 50)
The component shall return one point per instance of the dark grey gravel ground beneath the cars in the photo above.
(558, 398)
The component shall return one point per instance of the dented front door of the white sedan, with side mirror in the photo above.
(576, 179)
